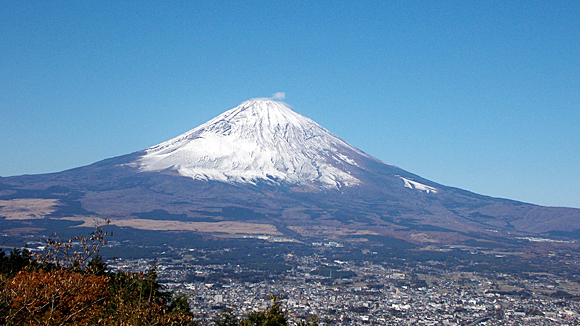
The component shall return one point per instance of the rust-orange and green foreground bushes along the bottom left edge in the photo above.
(69, 284)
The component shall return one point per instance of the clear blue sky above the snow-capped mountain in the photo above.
(481, 95)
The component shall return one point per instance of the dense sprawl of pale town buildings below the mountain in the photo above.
(341, 292)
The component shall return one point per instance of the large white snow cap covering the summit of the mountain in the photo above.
(261, 139)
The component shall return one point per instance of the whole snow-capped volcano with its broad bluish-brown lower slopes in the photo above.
(263, 169)
